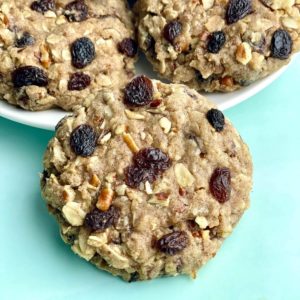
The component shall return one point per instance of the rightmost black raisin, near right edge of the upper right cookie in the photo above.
(281, 44)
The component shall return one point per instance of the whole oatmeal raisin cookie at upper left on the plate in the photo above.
(62, 53)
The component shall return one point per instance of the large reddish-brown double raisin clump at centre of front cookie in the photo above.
(148, 163)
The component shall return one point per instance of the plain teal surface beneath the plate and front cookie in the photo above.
(259, 261)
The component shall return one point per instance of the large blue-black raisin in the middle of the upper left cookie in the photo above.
(83, 52)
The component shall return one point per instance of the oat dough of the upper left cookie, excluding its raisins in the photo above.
(107, 24)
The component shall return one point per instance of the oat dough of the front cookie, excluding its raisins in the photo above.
(177, 199)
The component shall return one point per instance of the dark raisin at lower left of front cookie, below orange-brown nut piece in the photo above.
(100, 220)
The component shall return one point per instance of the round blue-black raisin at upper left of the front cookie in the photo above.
(83, 140)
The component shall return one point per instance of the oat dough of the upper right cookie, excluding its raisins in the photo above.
(245, 56)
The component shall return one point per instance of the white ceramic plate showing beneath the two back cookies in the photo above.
(48, 119)
